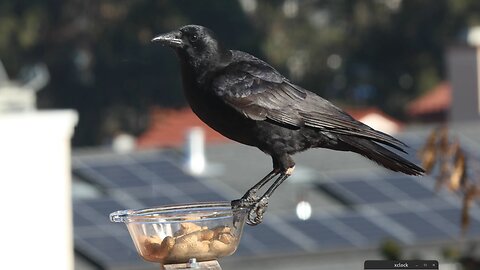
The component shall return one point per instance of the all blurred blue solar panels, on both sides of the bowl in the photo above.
(388, 206)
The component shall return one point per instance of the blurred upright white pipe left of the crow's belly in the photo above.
(195, 151)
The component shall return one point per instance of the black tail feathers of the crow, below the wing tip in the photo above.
(381, 155)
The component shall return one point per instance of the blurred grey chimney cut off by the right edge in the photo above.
(464, 72)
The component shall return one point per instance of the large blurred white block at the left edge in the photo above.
(35, 191)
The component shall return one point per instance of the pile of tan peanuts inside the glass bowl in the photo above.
(191, 241)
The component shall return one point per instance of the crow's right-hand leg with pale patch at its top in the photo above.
(255, 215)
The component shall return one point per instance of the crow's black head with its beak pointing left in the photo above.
(195, 44)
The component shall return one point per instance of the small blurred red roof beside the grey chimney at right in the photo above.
(436, 100)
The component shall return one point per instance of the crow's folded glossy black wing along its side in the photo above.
(259, 92)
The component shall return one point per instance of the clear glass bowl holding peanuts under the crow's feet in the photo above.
(177, 233)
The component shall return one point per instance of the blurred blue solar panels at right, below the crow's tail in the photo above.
(402, 208)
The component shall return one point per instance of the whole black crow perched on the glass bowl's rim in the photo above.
(248, 101)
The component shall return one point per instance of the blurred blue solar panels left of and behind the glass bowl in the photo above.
(128, 181)
